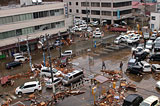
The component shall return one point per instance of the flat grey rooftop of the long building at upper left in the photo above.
(20, 6)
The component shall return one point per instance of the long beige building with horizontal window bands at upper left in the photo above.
(33, 20)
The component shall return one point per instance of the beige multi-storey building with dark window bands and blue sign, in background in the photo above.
(110, 10)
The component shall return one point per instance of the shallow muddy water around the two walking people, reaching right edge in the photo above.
(145, 83)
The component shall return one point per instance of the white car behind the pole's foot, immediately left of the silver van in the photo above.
(49, 83)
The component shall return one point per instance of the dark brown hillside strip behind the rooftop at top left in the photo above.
(10, 2)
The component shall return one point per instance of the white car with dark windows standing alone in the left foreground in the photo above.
(28, 87)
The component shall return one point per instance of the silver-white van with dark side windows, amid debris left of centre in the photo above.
(72, 77)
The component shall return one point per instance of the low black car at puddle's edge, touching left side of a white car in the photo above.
(136, 69)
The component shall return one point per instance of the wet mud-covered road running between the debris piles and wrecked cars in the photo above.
(145, 84)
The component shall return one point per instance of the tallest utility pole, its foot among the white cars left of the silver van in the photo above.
(49, 56)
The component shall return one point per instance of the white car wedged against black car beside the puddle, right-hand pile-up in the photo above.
(146, 66)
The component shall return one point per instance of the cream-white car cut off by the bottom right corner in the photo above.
(150, 101)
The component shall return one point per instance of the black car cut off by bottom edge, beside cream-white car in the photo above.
(132, 100)
